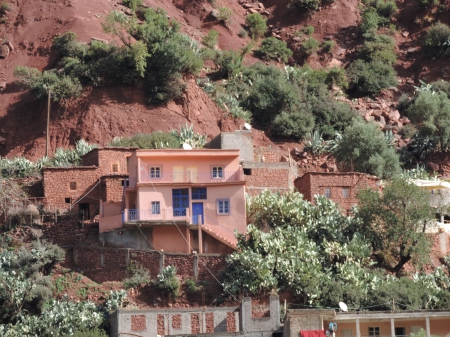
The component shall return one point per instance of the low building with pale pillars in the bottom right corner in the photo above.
(366, 324)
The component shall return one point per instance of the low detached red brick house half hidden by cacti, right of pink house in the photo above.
(341, 187)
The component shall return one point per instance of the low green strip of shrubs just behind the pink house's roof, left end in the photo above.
(154, 140)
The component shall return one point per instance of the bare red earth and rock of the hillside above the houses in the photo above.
(28, 28)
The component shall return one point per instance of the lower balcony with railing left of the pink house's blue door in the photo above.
(165, 216)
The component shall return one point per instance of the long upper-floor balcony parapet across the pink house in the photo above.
(191, 177)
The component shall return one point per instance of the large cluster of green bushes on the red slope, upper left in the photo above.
(155, 61)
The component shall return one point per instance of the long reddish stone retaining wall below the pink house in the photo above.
(109, 264)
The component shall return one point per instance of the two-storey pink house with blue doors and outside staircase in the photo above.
(182, 200)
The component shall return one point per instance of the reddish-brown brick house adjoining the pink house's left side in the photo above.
(101, 176)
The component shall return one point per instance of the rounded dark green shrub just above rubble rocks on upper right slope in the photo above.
(371, 77)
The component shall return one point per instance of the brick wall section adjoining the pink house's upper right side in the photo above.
(271, 176)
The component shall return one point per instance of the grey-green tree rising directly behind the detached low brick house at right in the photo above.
(364, 149)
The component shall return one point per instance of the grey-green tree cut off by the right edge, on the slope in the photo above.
(430, 112)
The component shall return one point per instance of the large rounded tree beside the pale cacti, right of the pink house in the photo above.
(395, 221)
